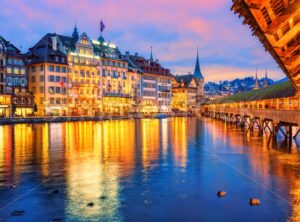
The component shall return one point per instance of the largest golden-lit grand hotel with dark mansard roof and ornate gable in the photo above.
(87, 77)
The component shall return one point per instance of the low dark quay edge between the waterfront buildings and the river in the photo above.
(58, 119)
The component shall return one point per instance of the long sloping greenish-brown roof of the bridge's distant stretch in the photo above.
(281, 90)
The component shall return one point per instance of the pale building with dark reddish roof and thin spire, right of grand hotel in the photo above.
(155, 89)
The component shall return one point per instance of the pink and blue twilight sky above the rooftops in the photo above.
(174, 28)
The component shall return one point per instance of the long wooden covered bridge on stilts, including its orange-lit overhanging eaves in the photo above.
(277, 25)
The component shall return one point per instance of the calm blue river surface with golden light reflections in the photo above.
(145, 170)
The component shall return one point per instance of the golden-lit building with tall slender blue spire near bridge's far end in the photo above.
(188, 90)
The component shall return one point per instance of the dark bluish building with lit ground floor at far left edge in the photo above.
(15, 99)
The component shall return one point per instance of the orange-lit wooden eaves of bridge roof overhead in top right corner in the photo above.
(277, 25)
